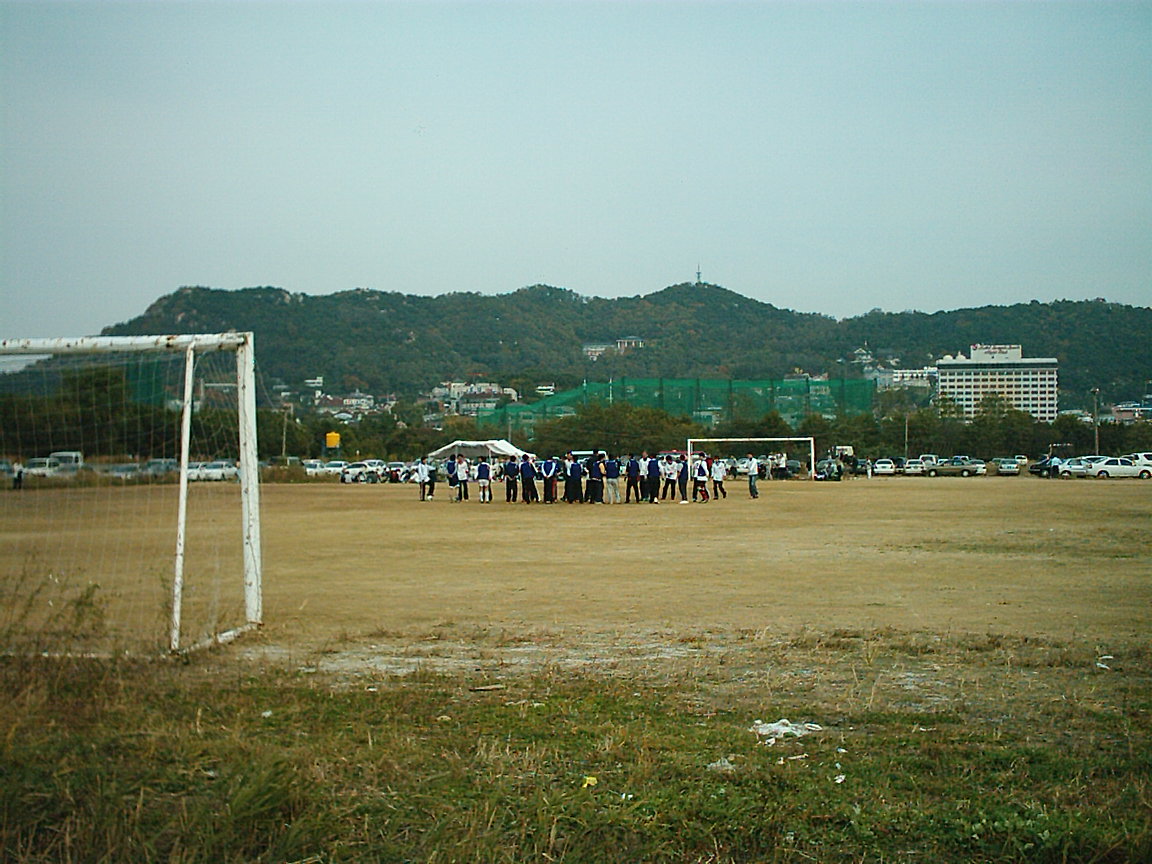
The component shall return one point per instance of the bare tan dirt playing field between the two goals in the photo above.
(1017, 556)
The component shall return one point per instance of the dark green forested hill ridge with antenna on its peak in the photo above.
(395, 343)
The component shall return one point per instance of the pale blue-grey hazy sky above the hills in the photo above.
(827, 157)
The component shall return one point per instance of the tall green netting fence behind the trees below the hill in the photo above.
(707, 401)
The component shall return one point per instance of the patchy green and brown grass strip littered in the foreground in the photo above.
(965, 751)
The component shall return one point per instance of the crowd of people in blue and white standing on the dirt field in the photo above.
(594, 480)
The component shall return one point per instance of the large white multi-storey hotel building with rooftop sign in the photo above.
(1027, 384)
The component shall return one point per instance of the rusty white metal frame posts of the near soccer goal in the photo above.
(192, 346)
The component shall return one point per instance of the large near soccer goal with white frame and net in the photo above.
(130, 513)
